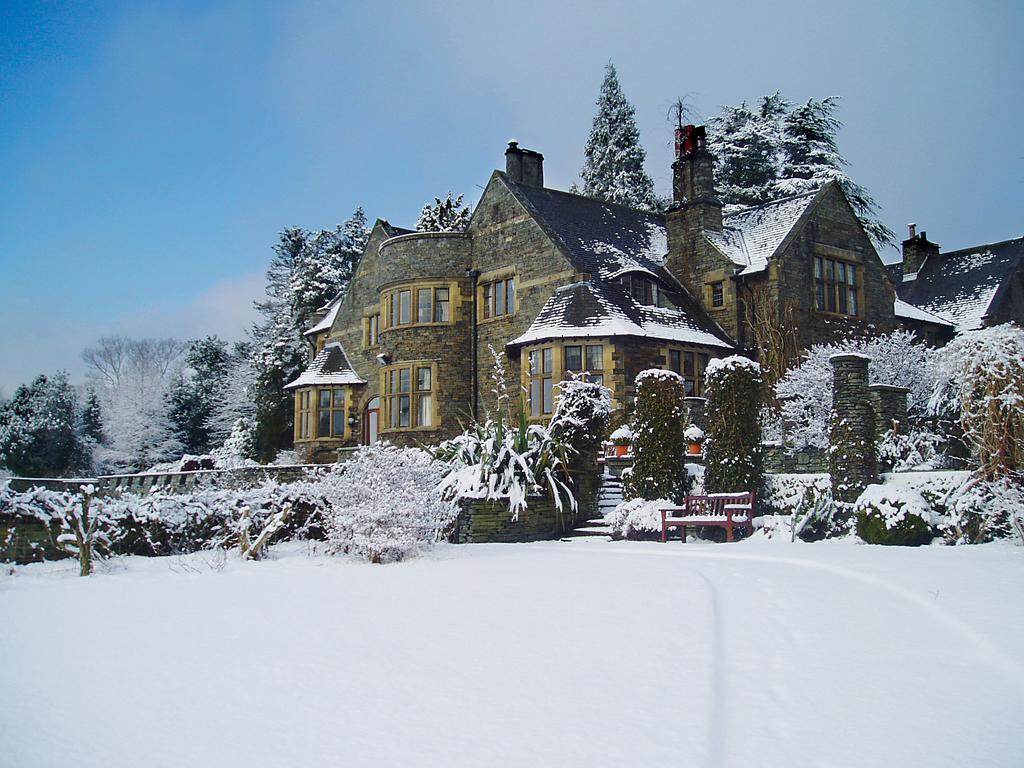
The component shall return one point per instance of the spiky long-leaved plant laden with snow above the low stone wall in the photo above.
(497, 461)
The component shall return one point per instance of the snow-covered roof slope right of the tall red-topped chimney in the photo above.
(751, 237)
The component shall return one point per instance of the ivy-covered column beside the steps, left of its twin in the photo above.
(659, 446)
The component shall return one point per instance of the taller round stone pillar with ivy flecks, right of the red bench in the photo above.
(852, 456)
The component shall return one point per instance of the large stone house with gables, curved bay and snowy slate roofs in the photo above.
(557, 283)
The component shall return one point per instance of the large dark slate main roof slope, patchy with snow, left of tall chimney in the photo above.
(602, 239)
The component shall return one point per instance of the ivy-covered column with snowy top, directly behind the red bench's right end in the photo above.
(733, 449)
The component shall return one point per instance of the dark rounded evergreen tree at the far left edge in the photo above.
(38, 430)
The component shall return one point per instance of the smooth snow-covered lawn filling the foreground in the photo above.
(582, 654)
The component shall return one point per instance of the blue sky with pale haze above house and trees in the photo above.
(151, 152)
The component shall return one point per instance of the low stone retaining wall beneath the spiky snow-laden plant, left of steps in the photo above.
(490, 522)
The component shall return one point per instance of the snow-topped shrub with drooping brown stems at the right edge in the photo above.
(982, 385)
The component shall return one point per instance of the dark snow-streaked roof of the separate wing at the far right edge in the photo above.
(963, 285)
